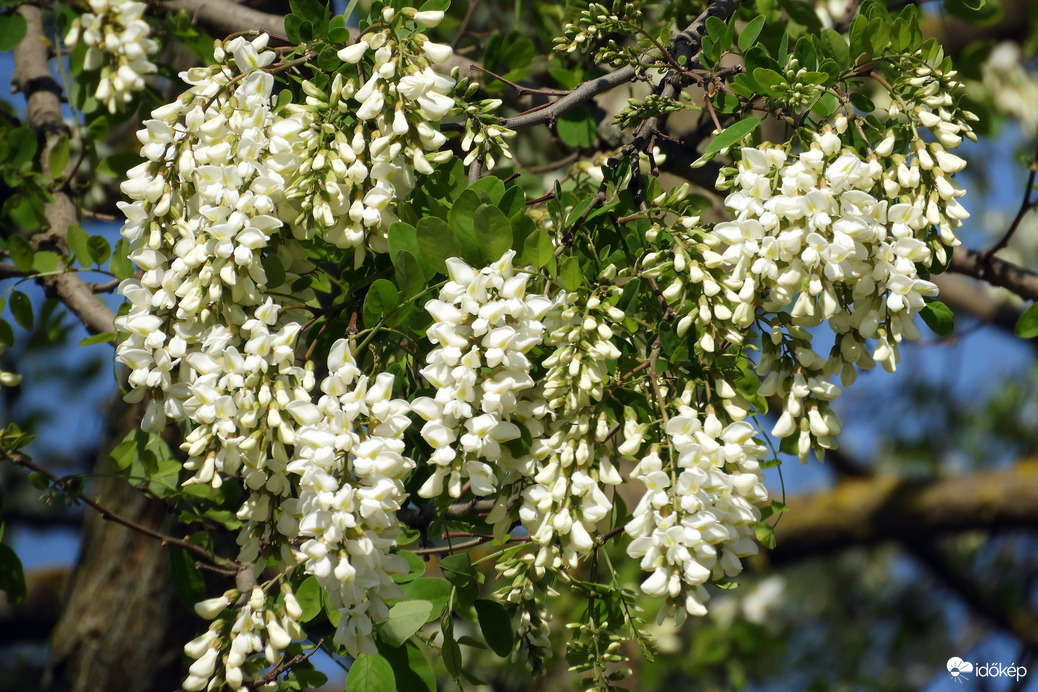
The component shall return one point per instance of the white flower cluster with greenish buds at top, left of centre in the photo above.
(351, 184)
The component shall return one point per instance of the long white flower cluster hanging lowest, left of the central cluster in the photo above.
(351, 466)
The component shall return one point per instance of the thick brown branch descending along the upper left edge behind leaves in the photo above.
(44, 108)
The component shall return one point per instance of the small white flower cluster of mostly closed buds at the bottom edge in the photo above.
(223, 654)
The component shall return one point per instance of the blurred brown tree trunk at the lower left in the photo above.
(123, 627)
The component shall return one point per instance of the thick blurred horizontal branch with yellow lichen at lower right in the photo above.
(870, 511)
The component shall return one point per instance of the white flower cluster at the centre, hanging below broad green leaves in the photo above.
(484, 328)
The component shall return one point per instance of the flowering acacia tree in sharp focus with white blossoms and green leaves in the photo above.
(368, 324)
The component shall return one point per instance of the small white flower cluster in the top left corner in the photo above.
(119, 44)
